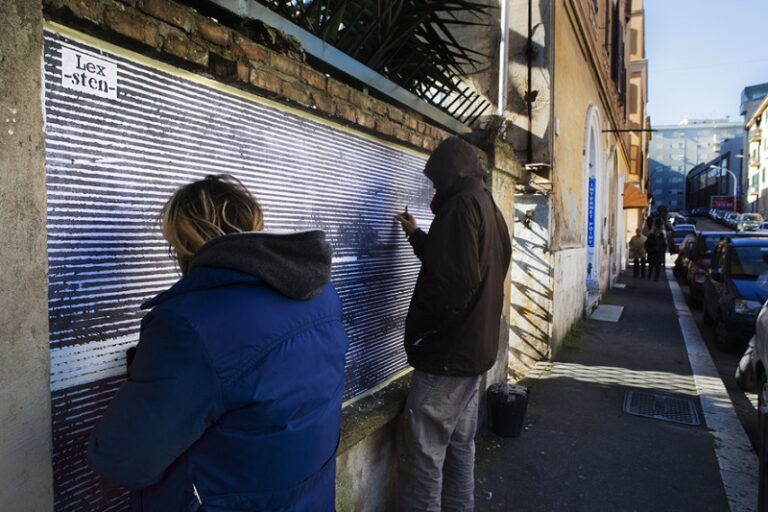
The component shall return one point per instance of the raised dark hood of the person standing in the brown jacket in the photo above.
(452, 161)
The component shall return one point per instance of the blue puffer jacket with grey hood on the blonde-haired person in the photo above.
(233, 400)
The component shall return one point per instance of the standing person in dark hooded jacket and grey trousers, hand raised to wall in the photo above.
(451, 331)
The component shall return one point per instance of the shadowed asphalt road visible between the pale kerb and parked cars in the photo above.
(744, 403)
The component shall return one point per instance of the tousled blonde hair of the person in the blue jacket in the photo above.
(206, 209)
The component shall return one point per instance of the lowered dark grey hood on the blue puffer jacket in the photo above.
(298, 265)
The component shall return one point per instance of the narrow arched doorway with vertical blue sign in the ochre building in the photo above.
(593, 207)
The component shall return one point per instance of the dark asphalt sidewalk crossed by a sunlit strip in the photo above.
(579, 450)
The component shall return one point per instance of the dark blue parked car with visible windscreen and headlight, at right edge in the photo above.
(735, 290)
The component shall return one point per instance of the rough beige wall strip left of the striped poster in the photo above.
(25, 416)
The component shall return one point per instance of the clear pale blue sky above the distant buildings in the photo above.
(701, 54)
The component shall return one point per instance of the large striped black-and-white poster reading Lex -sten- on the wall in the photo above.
(122, 133)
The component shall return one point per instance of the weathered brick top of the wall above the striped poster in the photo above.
(253, 57)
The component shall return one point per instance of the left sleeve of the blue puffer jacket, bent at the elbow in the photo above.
(171, 397)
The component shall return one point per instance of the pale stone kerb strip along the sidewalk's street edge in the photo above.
(738, 462)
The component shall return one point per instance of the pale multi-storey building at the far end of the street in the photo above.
(676, 149)
